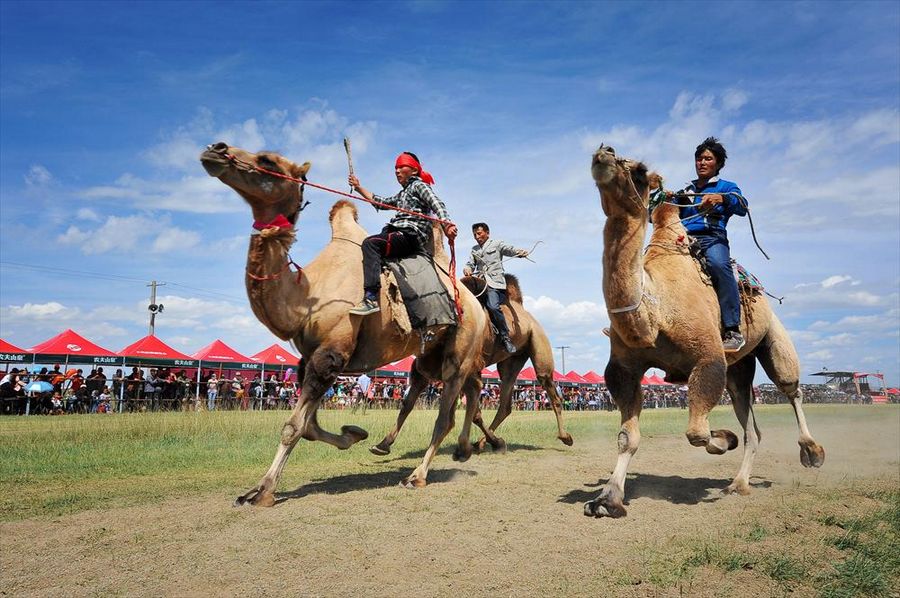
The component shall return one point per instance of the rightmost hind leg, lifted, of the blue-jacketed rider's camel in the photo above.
(778, 358)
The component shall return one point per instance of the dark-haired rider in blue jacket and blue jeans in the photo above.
(705, 221)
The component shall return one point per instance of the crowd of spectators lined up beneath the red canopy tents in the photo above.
(168, 389)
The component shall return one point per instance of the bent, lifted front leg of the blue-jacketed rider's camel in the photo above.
(705, 387)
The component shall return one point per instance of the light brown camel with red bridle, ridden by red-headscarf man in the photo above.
(311, 309)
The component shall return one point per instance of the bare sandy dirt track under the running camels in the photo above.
(505, 525)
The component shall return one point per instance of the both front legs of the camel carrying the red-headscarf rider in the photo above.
(321, 371)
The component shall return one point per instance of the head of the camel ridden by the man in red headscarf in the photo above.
(268, 195)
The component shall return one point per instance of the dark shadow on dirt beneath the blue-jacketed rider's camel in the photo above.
(674, 489)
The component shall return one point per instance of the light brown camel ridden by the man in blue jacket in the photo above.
(664, 315)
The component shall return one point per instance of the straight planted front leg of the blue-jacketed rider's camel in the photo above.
(625, 387)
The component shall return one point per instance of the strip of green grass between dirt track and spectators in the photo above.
(51, 466)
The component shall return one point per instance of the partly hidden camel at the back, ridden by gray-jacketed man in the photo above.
(529, 336)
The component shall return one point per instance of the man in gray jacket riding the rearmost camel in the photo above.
(487, 259)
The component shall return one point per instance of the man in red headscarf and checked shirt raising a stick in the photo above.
(405, 234)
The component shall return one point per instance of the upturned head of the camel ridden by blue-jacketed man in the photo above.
(622, 182)
